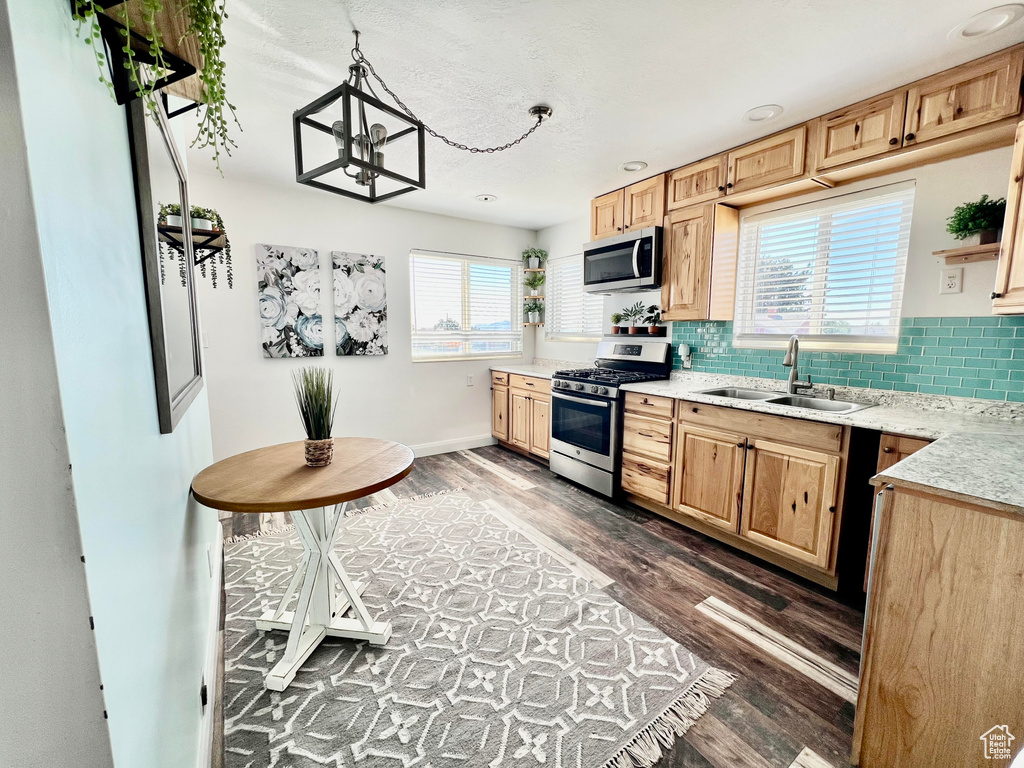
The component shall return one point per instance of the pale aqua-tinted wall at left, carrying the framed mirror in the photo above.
(146, 552)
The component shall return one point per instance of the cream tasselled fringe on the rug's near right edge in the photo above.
(647, 748)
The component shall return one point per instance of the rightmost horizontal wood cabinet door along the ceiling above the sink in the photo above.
(964, 98)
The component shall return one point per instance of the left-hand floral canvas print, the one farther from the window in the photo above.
(289, 283)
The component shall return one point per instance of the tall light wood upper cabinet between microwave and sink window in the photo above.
(699, 272)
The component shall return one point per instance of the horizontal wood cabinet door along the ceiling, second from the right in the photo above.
(871, 129)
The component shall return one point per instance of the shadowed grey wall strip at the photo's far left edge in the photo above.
(51, 699)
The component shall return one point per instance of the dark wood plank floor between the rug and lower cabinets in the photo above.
(662, 572)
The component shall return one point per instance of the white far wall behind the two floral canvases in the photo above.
(424, 405)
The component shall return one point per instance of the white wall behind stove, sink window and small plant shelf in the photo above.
(941, 188)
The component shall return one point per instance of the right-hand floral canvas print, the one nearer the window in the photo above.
(360, 304)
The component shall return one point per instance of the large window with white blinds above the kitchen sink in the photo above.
(831, 272)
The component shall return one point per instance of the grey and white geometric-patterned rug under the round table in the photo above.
(503, 655)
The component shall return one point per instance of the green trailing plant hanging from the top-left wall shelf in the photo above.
(206, 24)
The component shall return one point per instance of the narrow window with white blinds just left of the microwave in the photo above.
(571, 314)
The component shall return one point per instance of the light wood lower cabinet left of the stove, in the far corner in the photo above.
(521, 412)
